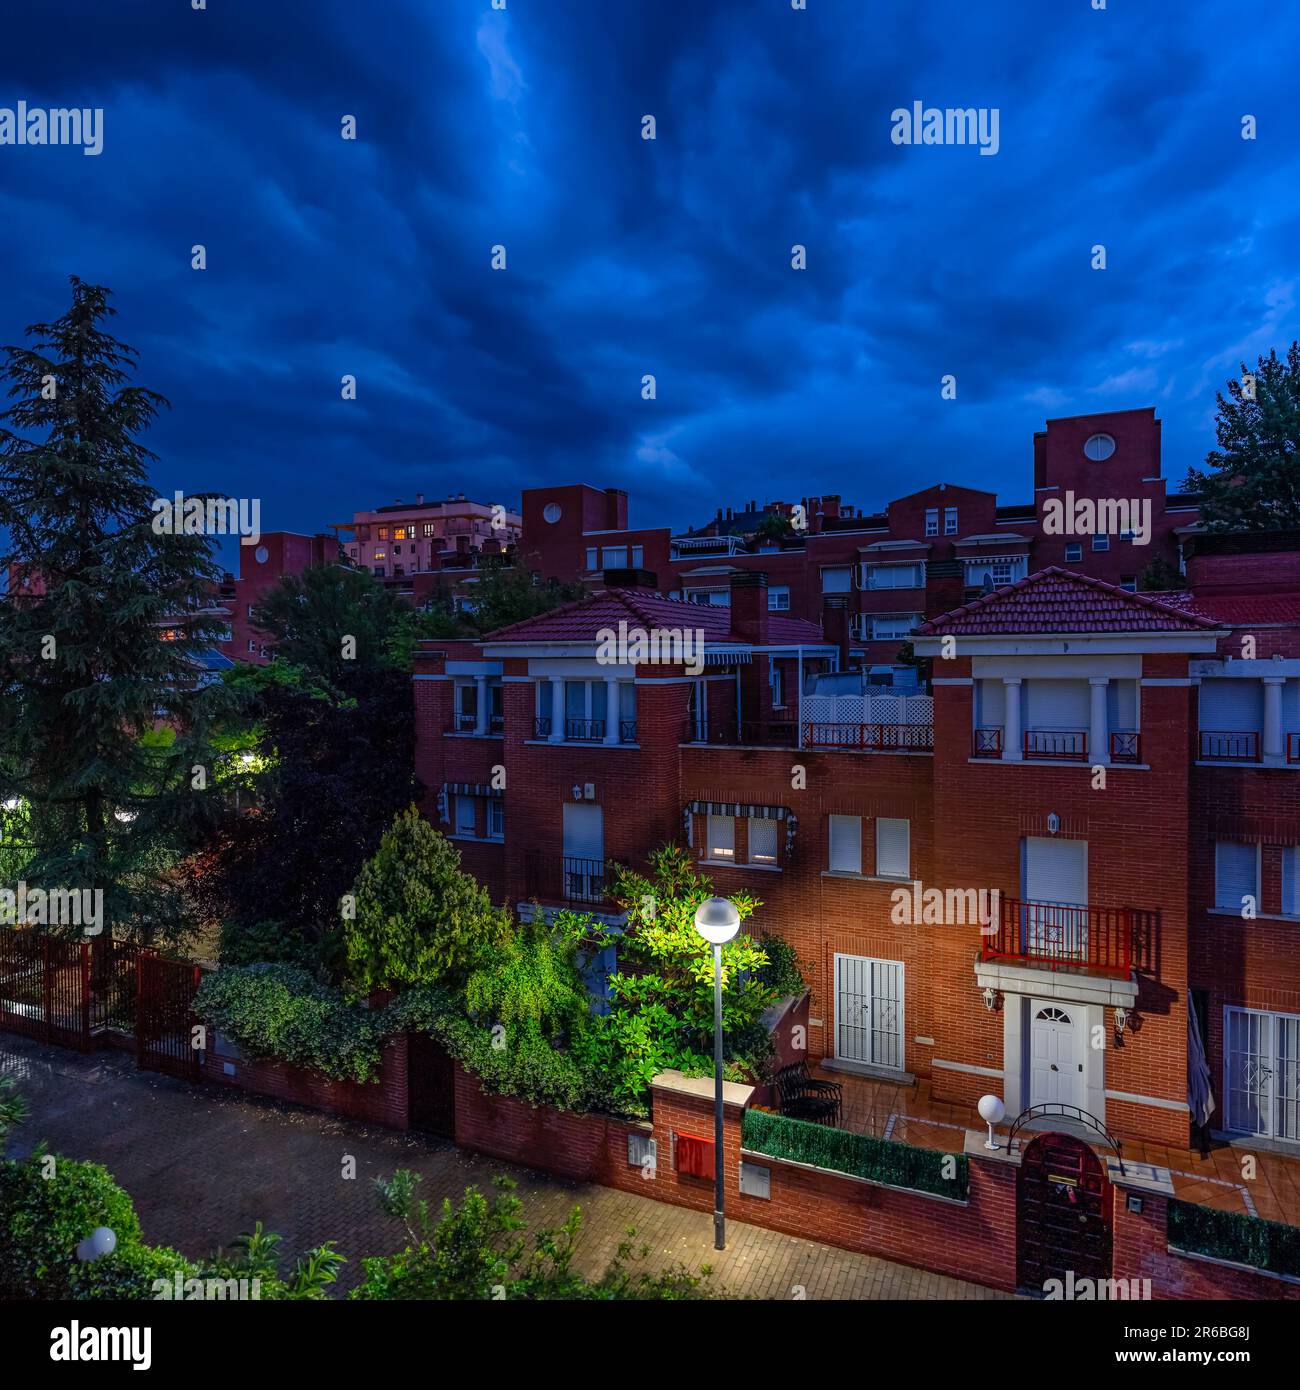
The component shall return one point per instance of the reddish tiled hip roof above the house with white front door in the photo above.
(1060, 601)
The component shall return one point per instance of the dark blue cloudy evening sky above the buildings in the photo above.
(478, 127)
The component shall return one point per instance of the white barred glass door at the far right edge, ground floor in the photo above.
(1262, 1072)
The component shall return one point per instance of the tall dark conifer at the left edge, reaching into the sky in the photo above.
(84, 671)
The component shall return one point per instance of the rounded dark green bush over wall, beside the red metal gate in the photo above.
(280, 1013)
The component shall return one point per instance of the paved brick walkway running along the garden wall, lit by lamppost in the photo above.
(204, 1166)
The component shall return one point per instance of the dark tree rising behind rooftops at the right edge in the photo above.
(1252, 482)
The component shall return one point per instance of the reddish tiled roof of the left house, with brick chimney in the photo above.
(580, 622)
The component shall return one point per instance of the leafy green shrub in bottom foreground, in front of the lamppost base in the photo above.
(478, 1252)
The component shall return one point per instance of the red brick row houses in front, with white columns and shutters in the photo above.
(1102, 787)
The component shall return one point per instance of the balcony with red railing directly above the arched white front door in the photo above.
(1066, 936)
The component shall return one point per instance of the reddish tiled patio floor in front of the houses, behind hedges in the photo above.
(1231, 1178)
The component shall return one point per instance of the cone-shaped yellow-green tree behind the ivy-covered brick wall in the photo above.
(419, 918)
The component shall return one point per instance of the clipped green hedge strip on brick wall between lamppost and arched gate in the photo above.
(860, 1156)
